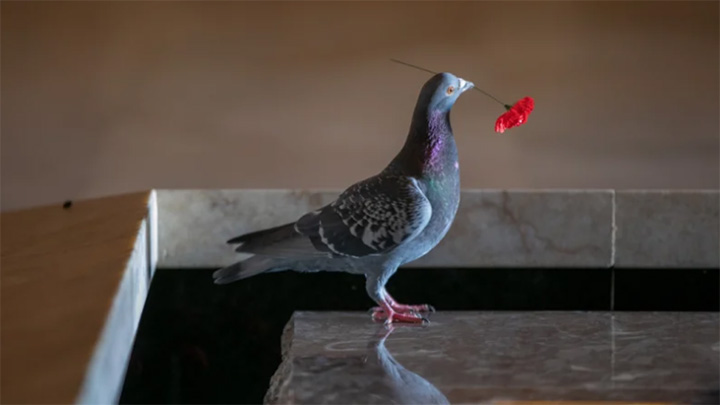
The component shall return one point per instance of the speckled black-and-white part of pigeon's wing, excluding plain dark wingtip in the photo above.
(371, 217)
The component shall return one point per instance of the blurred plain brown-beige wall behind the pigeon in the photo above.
(101, 98)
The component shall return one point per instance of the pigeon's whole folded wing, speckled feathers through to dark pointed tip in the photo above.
(371, 217)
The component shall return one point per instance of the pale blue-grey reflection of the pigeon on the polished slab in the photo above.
(407, 387)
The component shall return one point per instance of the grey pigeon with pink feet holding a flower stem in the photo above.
(378, 224)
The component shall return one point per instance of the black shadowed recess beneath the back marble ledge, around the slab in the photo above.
(202, 343)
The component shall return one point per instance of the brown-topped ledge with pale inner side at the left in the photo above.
(70, 314)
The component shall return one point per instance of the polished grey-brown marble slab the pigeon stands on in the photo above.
(491, 357)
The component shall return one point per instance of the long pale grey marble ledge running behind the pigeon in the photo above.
(493, 228)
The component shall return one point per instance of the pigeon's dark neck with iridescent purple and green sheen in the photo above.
(430, 145)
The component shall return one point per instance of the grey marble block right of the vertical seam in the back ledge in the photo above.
(667, 229)
